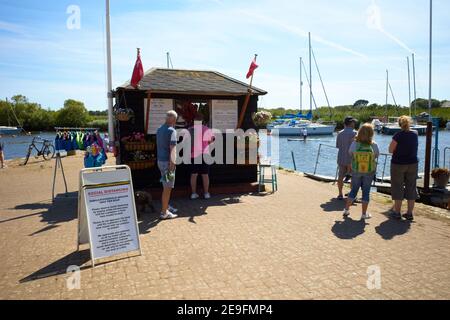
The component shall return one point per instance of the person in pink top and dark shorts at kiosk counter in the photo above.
(201, 137)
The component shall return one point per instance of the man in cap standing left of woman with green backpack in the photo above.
(343, 141)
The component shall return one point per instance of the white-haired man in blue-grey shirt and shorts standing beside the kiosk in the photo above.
(166, 141)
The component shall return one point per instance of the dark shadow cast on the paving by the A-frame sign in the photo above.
(77, 258)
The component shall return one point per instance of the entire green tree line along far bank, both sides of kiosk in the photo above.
(33, 117)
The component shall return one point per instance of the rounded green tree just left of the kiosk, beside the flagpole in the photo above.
(73, 114)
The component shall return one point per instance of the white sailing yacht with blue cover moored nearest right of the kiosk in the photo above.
(298, 125)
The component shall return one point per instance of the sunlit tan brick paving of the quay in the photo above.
(293, 244)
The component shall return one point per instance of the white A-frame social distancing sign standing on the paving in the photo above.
(107, 219)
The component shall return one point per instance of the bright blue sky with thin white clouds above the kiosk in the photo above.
(354, 41)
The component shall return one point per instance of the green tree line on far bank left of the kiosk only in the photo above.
(19, 111)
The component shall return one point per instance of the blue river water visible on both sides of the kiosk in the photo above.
(305, 153)
